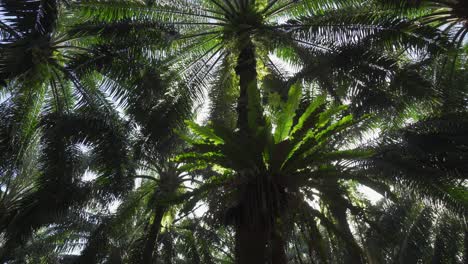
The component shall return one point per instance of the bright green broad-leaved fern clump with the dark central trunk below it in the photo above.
(266, 179)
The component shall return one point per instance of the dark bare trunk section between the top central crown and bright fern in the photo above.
(246, 69)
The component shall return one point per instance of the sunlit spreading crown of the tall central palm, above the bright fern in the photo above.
(221, 44)
